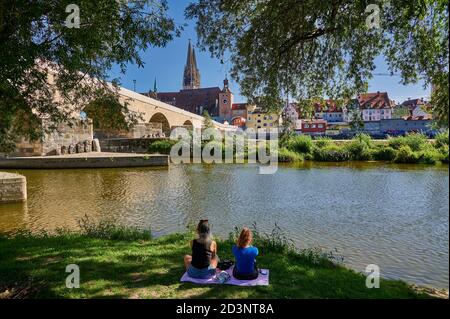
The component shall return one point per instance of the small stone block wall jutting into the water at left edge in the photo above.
(13, 188)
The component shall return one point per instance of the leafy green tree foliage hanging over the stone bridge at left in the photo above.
(40, 36)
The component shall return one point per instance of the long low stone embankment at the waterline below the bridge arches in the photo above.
(85, 160)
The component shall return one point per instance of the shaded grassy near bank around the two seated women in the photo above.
(120, 263)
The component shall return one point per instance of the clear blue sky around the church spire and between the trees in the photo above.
(167, 66)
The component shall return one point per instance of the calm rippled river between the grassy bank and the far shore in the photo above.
(394, 216)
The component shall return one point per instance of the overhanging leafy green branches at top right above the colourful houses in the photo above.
(326, 48)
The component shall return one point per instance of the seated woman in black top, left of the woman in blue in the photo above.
(203, 262)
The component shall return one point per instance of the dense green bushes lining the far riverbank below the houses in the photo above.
(411, 149)
